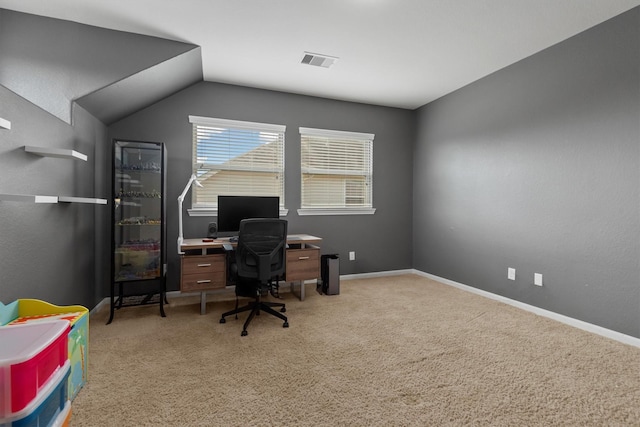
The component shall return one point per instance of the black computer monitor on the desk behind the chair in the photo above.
(233, 209)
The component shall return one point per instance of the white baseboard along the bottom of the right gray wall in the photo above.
(589, 327)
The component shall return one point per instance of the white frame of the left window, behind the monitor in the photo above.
(240, 125)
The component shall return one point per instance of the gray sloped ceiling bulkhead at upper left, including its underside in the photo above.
(52, 63)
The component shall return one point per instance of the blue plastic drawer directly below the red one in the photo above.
(50, 406)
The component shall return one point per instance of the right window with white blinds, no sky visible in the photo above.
(337, 172)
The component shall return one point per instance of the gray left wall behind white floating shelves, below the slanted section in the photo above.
(53, 252)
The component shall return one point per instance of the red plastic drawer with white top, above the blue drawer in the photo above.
(30, 356)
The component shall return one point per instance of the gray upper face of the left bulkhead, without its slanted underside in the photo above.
(52, 62)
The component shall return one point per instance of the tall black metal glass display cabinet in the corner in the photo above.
(138, 226)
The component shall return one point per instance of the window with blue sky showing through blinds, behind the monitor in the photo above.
(235, 158)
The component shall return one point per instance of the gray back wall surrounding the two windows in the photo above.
(381, 241)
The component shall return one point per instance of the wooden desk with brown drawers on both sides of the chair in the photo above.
(204, 264)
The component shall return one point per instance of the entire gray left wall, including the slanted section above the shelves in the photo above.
(59, 253)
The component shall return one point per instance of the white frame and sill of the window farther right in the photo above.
(344, 135)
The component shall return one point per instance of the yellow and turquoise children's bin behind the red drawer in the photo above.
(33, 311)
